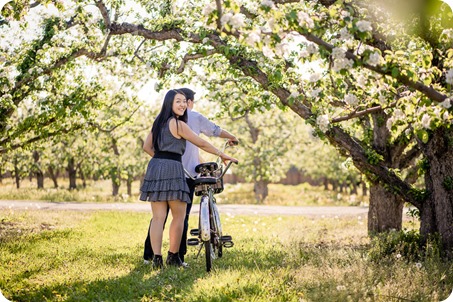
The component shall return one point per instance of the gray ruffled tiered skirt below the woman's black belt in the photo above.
(164, 180)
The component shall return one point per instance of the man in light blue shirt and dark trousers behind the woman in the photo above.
(199, 124)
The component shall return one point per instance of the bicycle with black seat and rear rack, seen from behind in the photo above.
(209, 181)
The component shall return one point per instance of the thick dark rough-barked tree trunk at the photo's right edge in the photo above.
(437, 211)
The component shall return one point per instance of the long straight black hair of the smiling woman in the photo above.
(165, 114)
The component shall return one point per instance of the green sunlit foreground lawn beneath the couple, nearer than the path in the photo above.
(96, 256)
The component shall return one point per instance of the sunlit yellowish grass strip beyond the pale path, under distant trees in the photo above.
(242, 193)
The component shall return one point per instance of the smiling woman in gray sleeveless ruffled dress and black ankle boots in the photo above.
(165, 183)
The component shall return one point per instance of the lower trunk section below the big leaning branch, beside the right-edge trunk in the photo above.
(385, 212)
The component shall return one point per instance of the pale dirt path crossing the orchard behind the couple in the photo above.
(231, 209)
